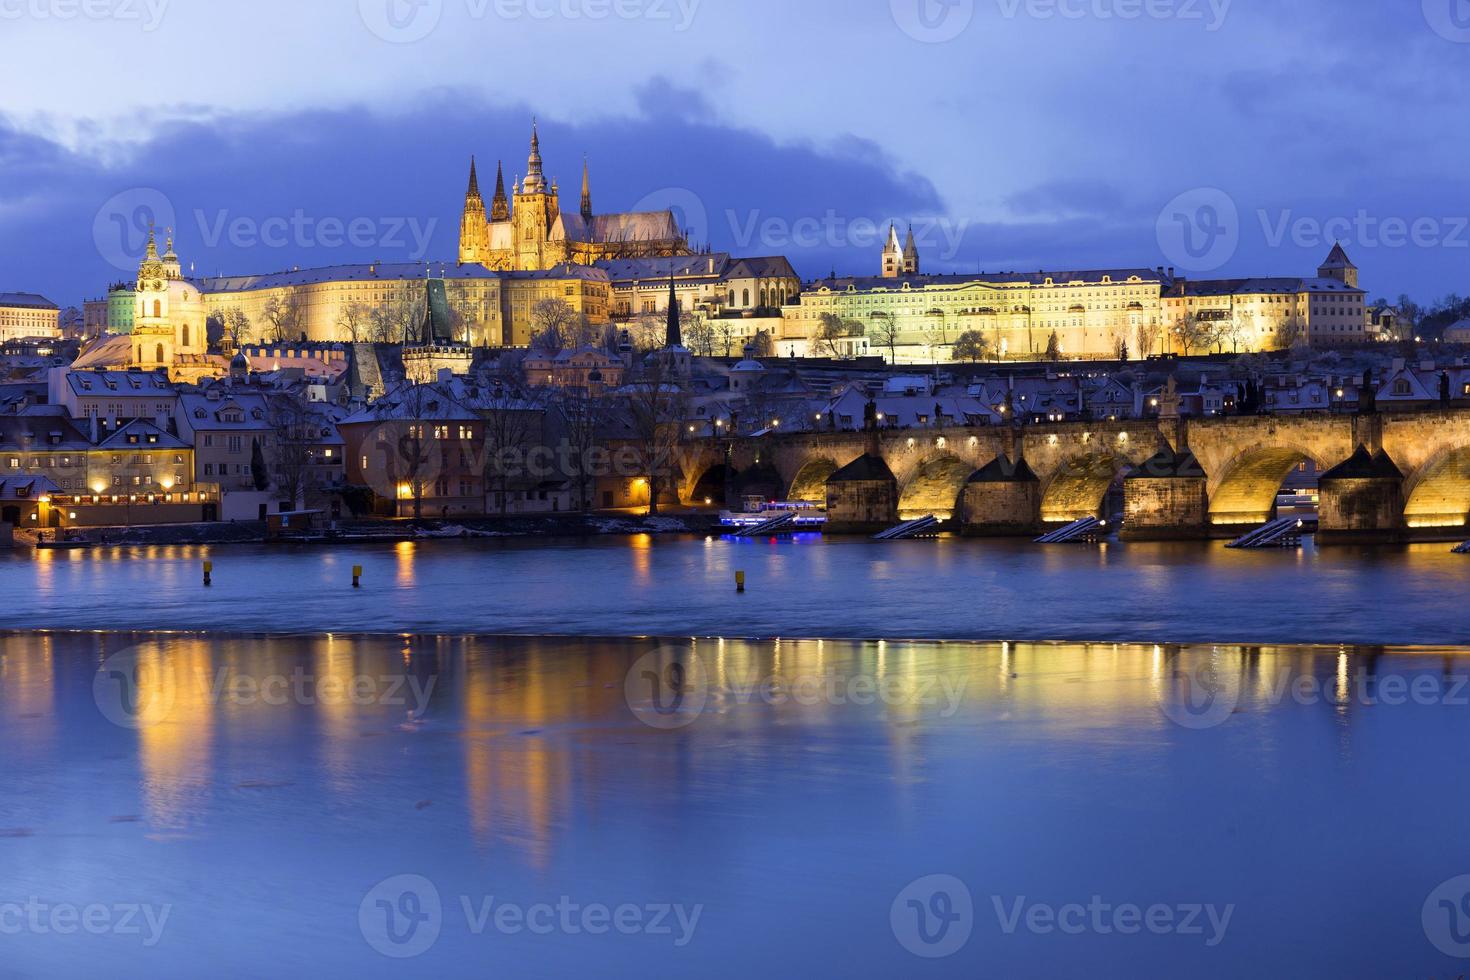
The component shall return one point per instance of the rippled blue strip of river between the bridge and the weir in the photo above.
(686, 587)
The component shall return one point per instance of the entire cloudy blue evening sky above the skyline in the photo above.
(1221, 137)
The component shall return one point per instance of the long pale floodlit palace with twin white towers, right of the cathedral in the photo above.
(1091, 314)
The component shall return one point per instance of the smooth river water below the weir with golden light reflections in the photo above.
(814, 781)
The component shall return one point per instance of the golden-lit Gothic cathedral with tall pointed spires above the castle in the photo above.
(528, 231)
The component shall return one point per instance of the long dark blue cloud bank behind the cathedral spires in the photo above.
(258, 193)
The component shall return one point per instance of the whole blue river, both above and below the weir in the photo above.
(427, 803)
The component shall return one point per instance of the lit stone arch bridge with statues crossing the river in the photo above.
(1225, 474)
